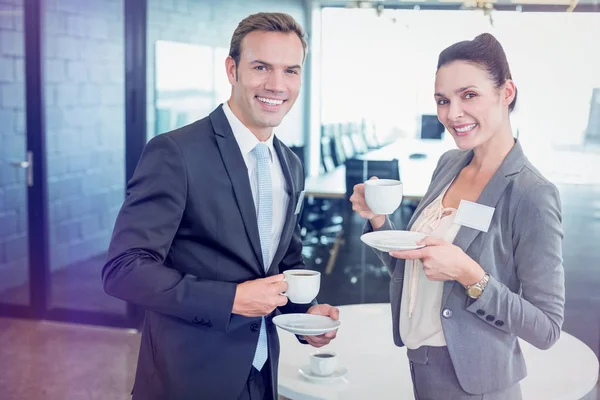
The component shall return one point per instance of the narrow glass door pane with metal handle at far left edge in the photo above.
(16, 173)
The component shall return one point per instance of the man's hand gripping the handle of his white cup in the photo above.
(260, 297)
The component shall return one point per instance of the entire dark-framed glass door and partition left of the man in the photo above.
(62, 157)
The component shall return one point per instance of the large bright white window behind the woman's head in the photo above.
(385, 71)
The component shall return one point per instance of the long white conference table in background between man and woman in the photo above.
(417, 159)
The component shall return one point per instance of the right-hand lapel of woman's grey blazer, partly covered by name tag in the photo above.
(491, 194)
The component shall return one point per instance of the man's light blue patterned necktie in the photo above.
(264, 219)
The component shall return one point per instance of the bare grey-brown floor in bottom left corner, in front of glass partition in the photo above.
(55, 361)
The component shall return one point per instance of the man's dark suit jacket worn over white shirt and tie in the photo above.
(186, 235)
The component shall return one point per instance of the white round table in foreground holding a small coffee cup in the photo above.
(377, 369)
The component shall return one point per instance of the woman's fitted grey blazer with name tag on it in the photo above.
(522, 252)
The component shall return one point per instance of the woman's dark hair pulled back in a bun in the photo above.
(487, 52)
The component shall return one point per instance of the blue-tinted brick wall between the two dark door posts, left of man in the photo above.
(85, 124)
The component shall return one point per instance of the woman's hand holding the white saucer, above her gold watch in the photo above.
(443, 261)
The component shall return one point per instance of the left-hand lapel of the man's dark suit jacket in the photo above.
(238, 174)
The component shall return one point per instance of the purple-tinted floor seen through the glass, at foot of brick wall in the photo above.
(77, 287)
